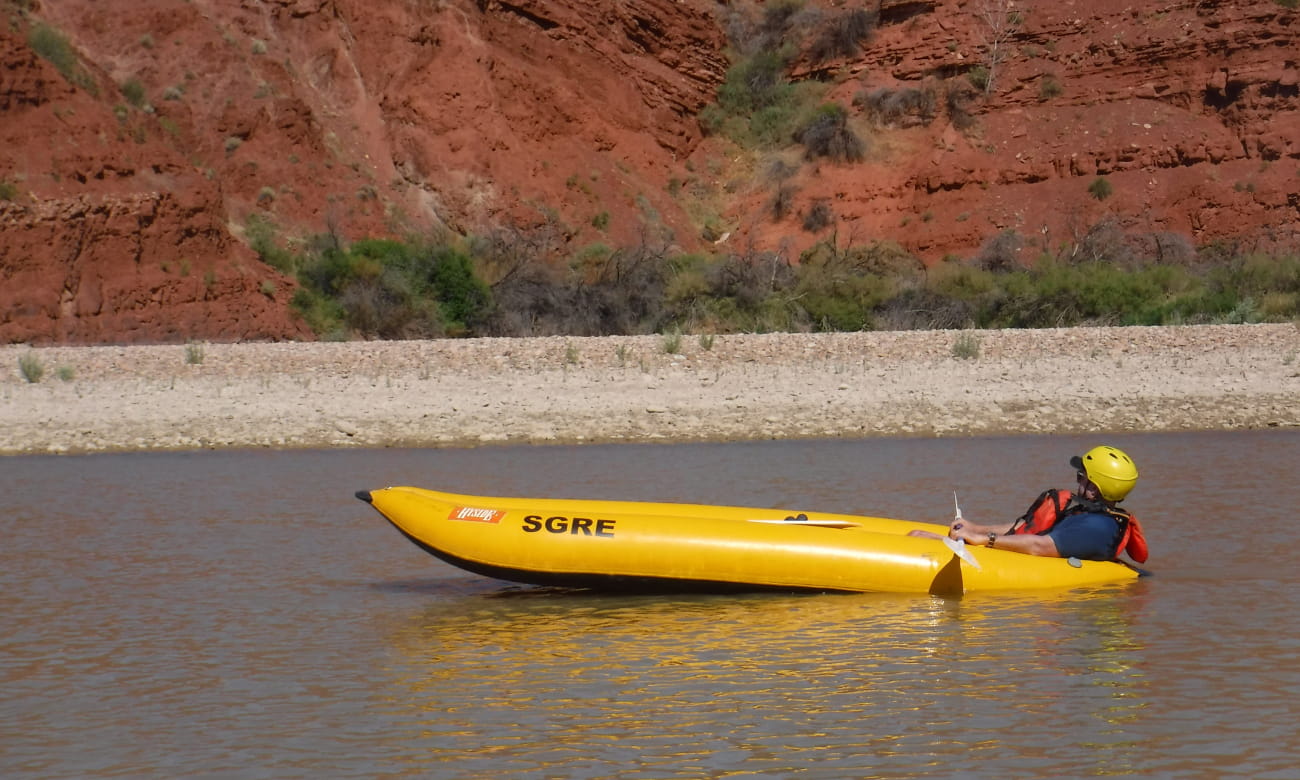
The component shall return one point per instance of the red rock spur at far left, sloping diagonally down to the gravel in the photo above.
(107, 236)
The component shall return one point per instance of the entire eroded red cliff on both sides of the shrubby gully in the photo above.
(127, 196)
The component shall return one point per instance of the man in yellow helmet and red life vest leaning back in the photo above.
(1087, 525)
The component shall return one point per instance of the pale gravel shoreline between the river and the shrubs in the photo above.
(458, 393)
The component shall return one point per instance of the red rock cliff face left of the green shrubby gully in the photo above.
(363, 119)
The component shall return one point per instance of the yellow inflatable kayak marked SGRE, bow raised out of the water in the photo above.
(669, 547)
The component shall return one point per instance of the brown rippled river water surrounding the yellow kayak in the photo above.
(242, 616)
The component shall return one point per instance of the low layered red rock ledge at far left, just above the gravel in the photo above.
(146, 268)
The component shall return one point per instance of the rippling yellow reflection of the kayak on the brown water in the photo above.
(716, 684)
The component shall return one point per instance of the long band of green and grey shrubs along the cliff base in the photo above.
(391, 289)
